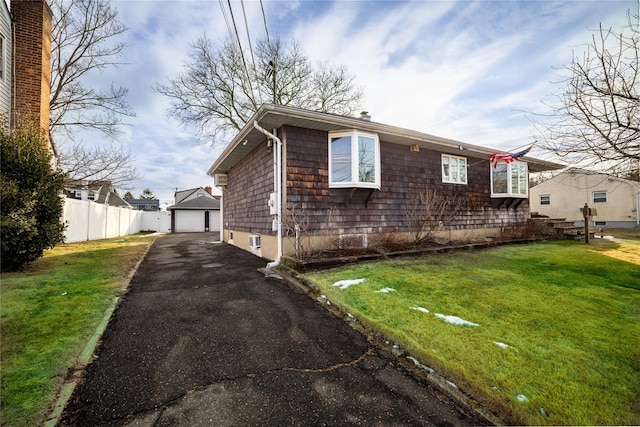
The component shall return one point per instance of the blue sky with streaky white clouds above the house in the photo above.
(465, 70)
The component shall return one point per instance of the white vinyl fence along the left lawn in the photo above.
(88, 220)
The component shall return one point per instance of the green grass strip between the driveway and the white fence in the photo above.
(49, 312)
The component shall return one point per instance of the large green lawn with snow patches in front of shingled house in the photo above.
(558, 335)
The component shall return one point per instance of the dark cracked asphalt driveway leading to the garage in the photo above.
(202, 338)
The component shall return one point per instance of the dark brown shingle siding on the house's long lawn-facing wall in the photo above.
(403, 173)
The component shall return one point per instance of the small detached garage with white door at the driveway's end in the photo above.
(200, 214)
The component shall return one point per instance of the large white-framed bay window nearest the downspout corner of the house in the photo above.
(354, 160)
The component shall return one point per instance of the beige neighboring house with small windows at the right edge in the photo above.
(616, 200)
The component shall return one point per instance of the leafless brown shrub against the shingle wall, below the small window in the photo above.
(429, 212)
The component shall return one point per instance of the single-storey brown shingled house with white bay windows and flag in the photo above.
(344, 180)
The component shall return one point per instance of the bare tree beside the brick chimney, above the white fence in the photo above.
(85, 41)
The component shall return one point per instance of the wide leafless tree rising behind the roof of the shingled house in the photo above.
(220, 90)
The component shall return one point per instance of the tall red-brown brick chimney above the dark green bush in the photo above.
(32, 60)
